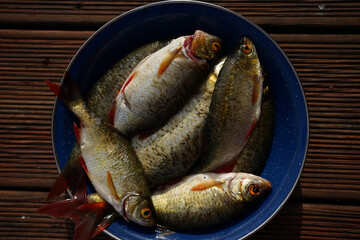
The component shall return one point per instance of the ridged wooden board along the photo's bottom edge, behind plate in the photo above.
(294, 221)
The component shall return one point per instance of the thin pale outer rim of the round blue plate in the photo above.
(209, 5)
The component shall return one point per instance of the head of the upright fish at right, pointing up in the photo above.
(247, 56)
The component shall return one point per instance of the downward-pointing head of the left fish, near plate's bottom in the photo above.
(139, 210)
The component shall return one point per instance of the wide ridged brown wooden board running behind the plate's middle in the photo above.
(333, 101)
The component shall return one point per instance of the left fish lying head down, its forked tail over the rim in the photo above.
(108, 159)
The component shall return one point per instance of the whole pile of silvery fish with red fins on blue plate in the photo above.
(169, 137)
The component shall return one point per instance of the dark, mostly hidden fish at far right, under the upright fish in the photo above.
(253, 157)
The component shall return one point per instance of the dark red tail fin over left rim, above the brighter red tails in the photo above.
(70, 177)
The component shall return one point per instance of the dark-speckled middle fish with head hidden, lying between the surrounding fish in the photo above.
(169, 153)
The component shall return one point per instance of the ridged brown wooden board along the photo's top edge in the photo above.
(96, 13)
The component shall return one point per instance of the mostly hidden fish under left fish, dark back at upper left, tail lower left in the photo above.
(100, 100)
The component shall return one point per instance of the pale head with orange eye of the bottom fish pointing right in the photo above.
(249, 187)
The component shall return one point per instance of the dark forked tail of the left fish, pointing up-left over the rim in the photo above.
(70, 95)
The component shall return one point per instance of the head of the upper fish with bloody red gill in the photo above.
(202, 46)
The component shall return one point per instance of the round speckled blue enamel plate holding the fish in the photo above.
(171, 19)
